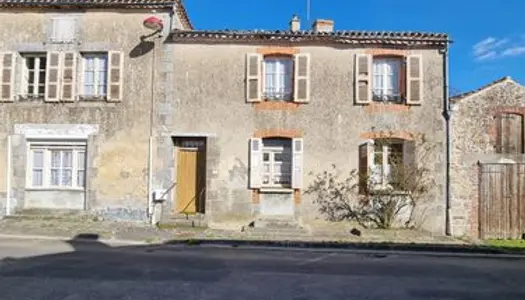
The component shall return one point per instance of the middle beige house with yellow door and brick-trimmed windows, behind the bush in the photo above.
(255, 112)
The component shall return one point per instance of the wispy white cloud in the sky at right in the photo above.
(492, 48)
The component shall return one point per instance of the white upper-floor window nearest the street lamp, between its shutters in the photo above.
(95, 72)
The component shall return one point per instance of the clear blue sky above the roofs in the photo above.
(489, 35)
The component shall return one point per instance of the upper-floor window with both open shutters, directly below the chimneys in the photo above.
(278, 77)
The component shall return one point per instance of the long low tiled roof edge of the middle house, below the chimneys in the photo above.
(404, 38)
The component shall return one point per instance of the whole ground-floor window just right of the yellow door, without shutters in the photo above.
(276, 162)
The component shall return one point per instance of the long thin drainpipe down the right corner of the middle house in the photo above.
(447, 114)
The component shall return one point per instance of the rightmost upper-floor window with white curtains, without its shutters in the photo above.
(386, 79)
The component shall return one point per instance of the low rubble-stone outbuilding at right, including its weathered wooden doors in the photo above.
(488, 161)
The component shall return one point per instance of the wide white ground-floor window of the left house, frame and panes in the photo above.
(57, 165)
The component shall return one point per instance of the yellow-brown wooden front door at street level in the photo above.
(190, 180)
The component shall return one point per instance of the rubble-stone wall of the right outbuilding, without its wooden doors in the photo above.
(474, 134)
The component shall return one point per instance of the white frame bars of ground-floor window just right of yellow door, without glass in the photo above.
(271, 151)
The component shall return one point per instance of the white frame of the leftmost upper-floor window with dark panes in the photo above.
(24, 75)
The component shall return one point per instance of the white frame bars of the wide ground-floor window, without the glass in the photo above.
(47, 147)
